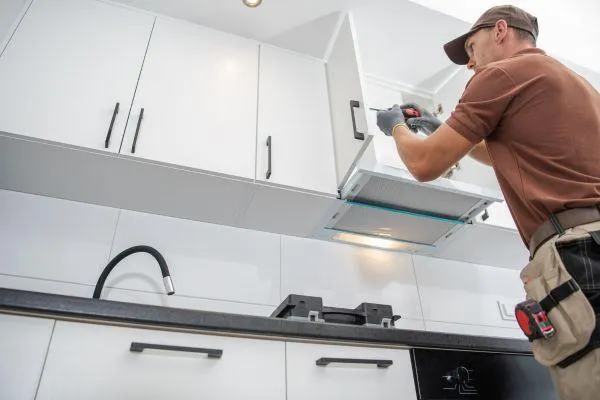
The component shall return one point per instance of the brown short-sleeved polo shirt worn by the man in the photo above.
(541, 124)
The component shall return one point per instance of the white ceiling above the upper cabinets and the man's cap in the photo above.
(399, 40)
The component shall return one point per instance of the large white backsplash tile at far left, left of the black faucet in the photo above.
(53, 239)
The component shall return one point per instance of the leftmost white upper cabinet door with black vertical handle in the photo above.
(67, 66)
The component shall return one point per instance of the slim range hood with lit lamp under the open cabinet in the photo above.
(383, 205)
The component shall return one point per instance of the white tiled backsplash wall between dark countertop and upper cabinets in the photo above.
(59, 246)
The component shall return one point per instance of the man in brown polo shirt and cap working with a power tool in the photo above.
(537, 124)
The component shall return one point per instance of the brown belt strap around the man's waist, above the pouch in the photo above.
(558, 223)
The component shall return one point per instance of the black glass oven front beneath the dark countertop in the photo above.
(449, 374)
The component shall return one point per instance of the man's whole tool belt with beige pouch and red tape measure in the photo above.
(562, 313)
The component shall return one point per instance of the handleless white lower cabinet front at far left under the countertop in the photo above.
(23, 345)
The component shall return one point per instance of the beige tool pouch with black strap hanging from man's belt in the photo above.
(559, 277)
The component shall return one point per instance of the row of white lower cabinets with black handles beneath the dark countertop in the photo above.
(90, 361)
